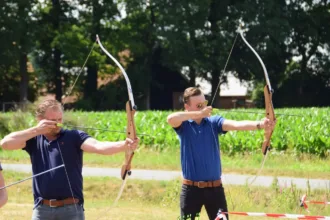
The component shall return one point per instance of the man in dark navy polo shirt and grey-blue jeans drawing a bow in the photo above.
(59, 193)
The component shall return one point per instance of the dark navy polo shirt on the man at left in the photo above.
(45, 155)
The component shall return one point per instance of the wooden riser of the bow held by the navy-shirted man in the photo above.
(130, 133)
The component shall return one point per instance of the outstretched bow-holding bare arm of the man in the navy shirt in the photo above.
(92, 145)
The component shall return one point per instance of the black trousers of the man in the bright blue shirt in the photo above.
(193, 198)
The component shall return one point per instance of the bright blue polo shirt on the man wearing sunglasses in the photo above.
(200, 152)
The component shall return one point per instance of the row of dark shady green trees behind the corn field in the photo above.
(44, 45)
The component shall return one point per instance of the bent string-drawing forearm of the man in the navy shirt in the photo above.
(17, 140)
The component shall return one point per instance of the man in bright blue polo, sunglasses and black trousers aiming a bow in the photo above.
(200, 153)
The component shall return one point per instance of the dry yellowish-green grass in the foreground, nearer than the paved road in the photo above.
(160, 199)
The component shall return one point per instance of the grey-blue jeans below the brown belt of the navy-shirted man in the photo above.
(67, 212)
